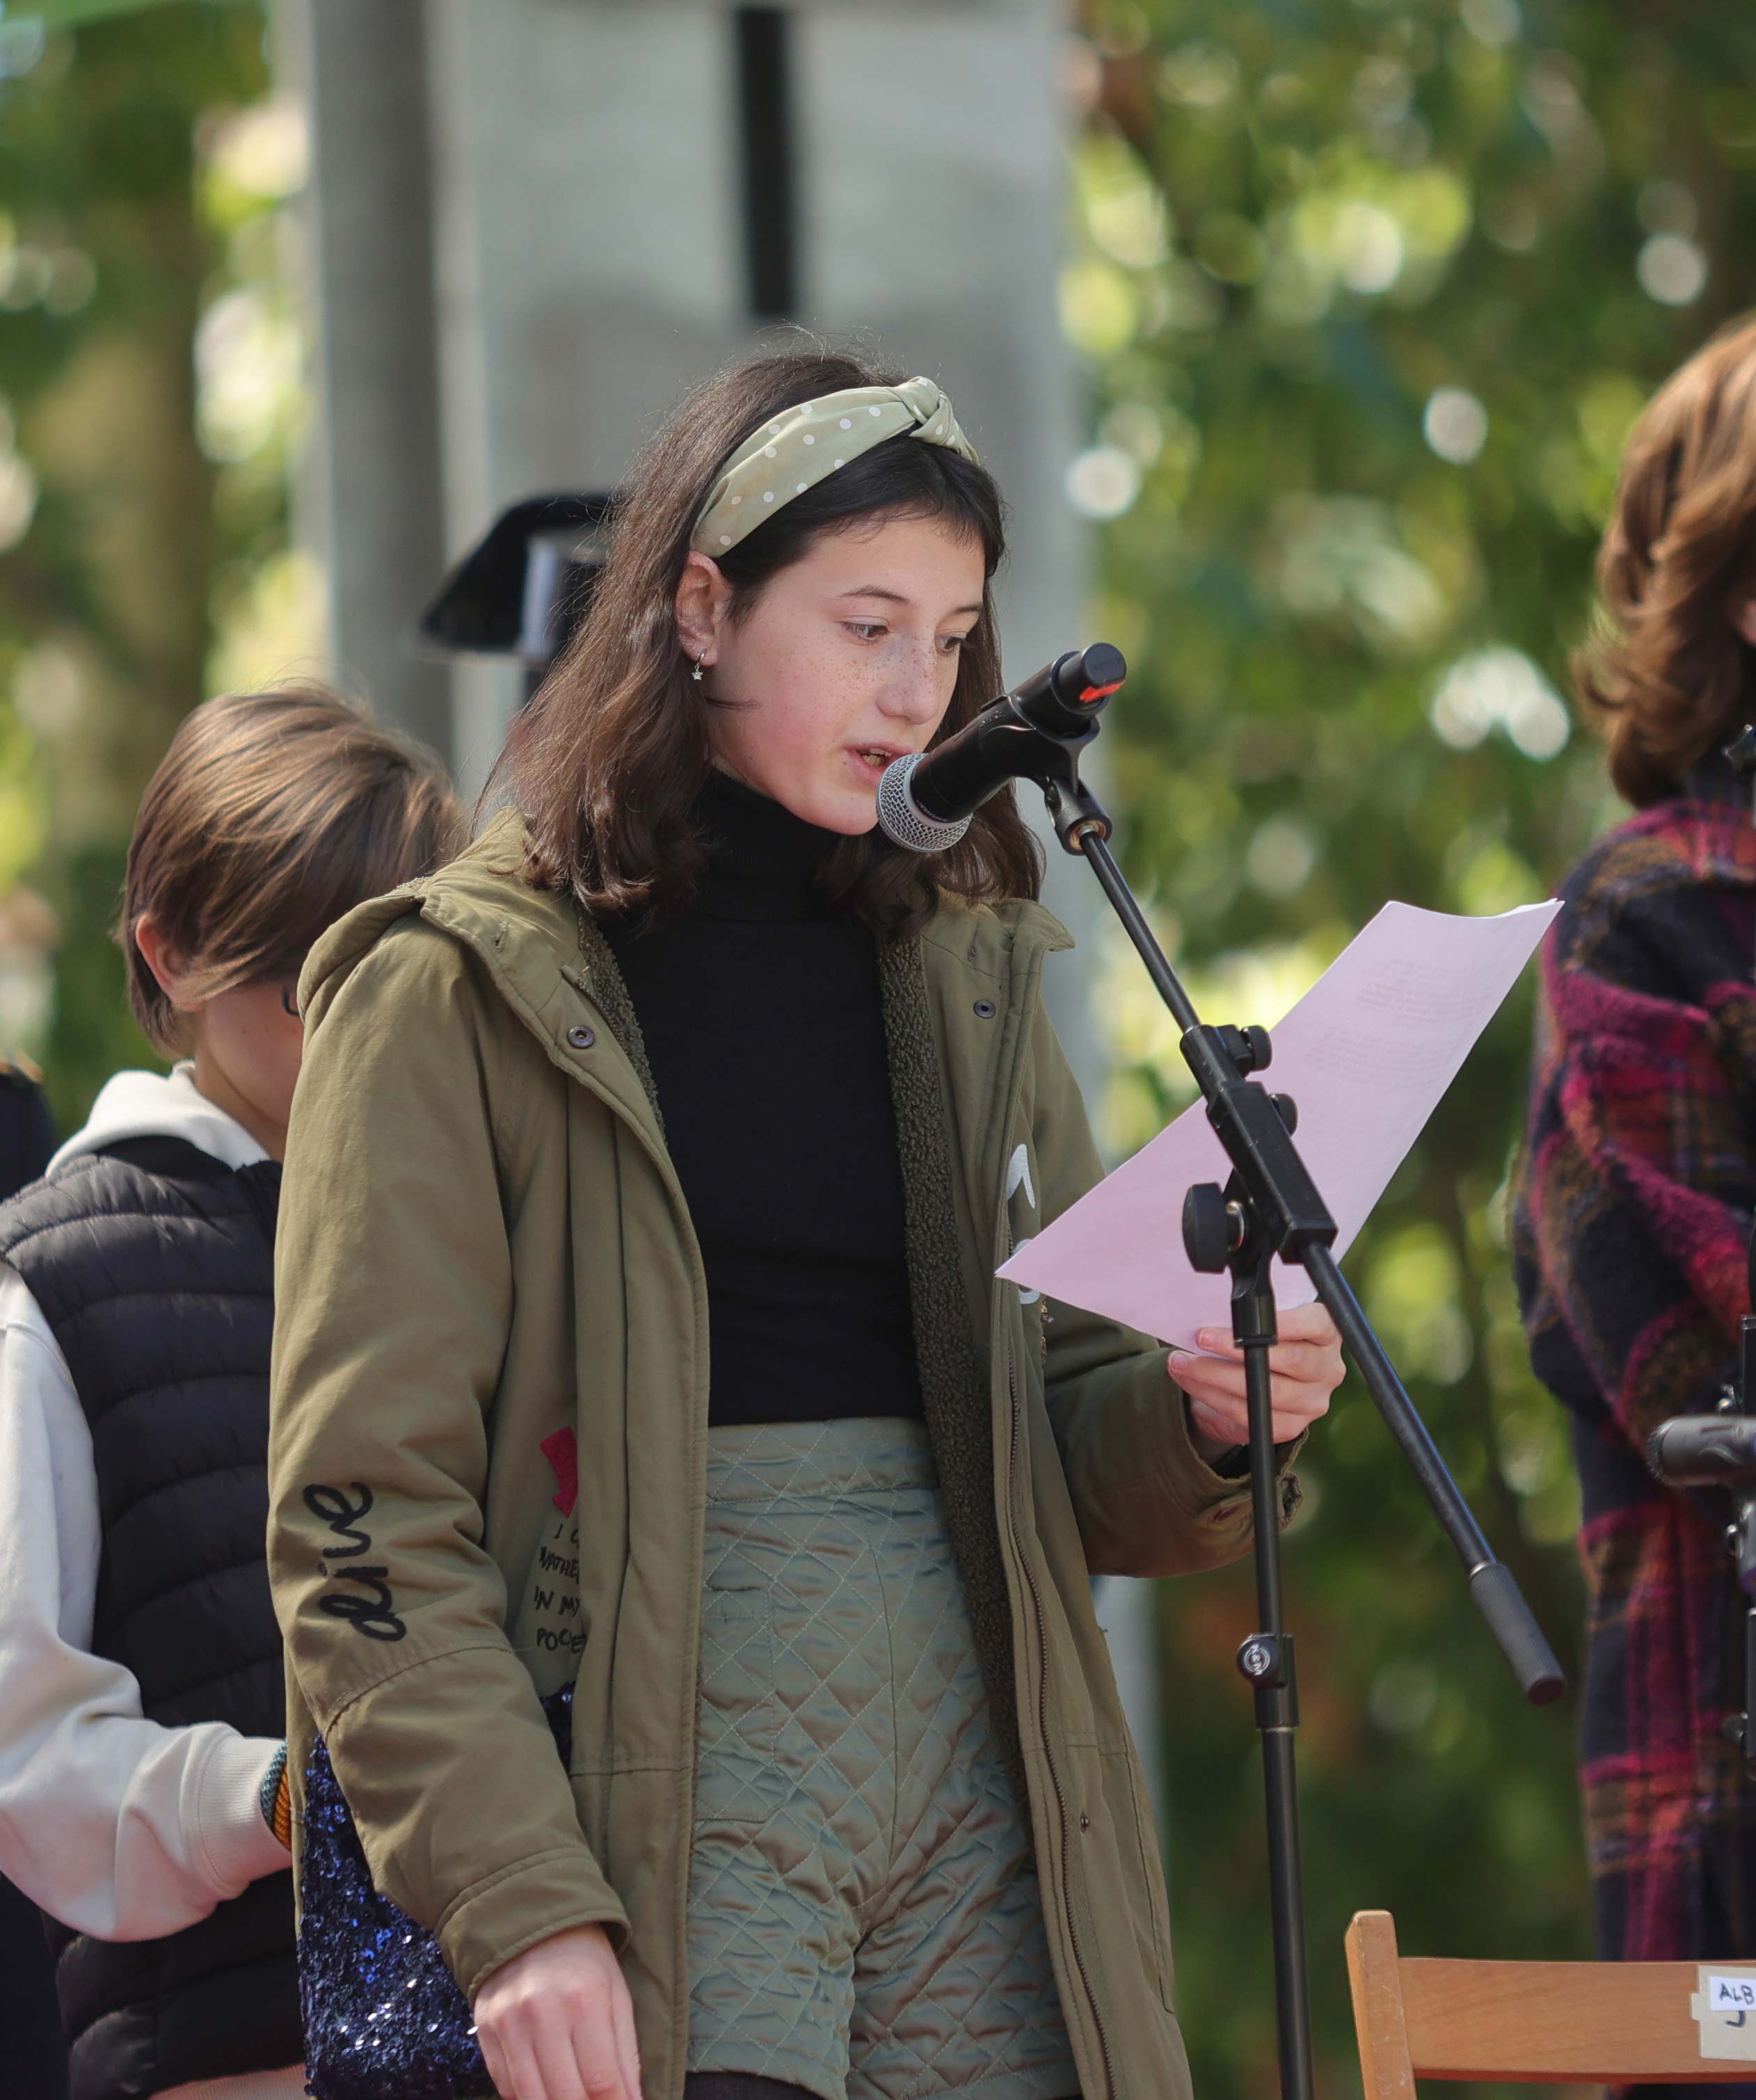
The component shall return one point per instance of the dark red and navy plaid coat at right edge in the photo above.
(1631, 1232)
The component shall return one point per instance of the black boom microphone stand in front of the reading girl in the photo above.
(1268, 1209)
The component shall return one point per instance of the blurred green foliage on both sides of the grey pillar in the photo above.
(1371, 293)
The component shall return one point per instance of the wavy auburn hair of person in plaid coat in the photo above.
(1669, 679)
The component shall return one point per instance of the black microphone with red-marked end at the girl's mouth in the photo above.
(927, 799)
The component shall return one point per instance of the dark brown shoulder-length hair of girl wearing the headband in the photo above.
(610, 757)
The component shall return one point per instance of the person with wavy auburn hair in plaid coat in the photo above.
(1639, 1177)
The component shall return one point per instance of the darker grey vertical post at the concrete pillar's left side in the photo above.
(373, 236)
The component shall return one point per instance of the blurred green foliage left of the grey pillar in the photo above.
(125, 516)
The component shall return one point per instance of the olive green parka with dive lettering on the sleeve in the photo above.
(488, 1282)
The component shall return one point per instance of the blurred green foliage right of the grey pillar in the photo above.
(1371, 293)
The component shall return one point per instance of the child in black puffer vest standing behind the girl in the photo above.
(142, 1708)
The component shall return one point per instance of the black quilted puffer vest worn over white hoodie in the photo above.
(154, 1267)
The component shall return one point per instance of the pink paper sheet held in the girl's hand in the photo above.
(1366, 1055)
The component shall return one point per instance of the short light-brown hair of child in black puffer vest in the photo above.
(270, 818)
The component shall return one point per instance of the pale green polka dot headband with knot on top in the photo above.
(808, 444)
